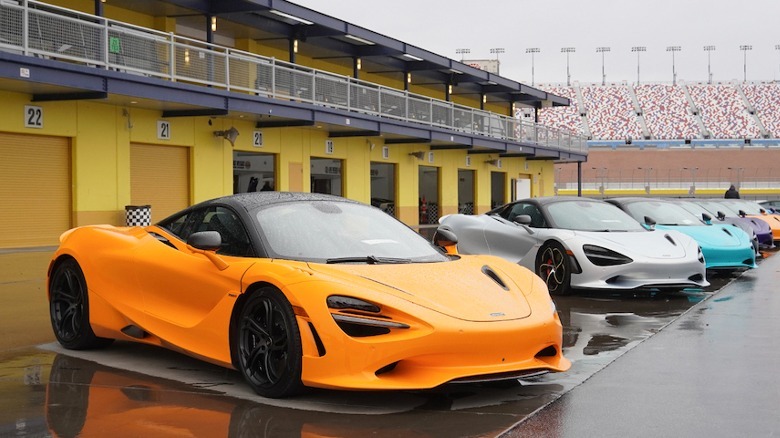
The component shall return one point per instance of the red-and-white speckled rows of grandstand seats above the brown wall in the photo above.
(671, 112)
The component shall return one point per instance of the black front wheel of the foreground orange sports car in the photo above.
(267, 343)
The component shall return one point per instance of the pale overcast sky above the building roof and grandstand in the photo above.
(442, 26)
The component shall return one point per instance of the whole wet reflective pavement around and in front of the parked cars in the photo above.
(693, 364)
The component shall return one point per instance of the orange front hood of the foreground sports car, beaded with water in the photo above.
(463, 288)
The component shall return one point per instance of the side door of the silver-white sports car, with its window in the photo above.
(507, 239)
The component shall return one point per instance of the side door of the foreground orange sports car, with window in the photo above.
(183, 291)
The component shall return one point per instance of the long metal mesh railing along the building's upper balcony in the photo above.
(37, 29)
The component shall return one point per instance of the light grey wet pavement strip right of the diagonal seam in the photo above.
(711, 373)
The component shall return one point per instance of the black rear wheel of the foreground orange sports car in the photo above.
(69, 308)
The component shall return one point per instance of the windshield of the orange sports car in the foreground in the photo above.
(338, 232)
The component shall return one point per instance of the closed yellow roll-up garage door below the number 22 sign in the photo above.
(35, 190)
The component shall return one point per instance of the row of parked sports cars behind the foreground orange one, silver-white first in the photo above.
(620, 243)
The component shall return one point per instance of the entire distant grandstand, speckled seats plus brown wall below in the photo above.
(676, 140)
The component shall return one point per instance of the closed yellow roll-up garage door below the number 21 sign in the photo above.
(160, 177)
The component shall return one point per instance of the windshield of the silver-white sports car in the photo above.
(591, 216)
